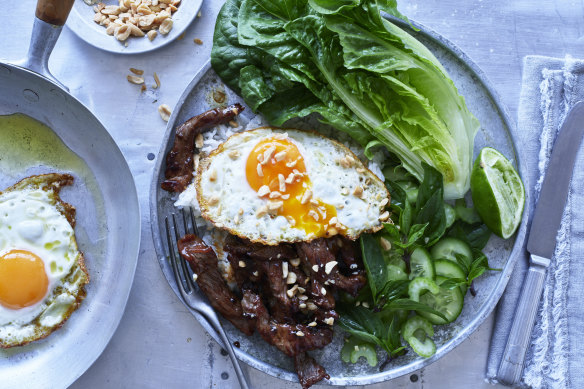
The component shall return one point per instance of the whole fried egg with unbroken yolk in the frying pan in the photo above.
(42, 272)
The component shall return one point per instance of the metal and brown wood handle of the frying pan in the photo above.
(51, 15)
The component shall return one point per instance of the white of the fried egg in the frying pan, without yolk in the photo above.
(31, 220)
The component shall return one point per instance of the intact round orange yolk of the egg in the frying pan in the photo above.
(23, 280)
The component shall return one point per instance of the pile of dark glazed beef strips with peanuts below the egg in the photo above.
(286, 293)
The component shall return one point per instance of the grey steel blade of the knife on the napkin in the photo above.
(556, 185)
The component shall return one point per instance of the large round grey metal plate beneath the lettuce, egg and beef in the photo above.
(496, 131)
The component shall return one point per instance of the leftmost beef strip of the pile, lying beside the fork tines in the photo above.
(203, 261)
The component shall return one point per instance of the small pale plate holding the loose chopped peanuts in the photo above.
(81, 23)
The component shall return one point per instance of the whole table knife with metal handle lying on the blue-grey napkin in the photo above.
(542, 241)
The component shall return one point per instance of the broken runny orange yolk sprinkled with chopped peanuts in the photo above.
(276, 170)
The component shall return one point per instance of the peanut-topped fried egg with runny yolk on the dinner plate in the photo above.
(272, 185)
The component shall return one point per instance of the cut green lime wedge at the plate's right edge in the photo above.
(497, 192)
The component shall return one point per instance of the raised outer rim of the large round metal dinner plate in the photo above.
(491, 301)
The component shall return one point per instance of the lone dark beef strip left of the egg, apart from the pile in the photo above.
(179, 160)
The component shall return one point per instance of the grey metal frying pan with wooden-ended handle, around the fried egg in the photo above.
(108, 215)
